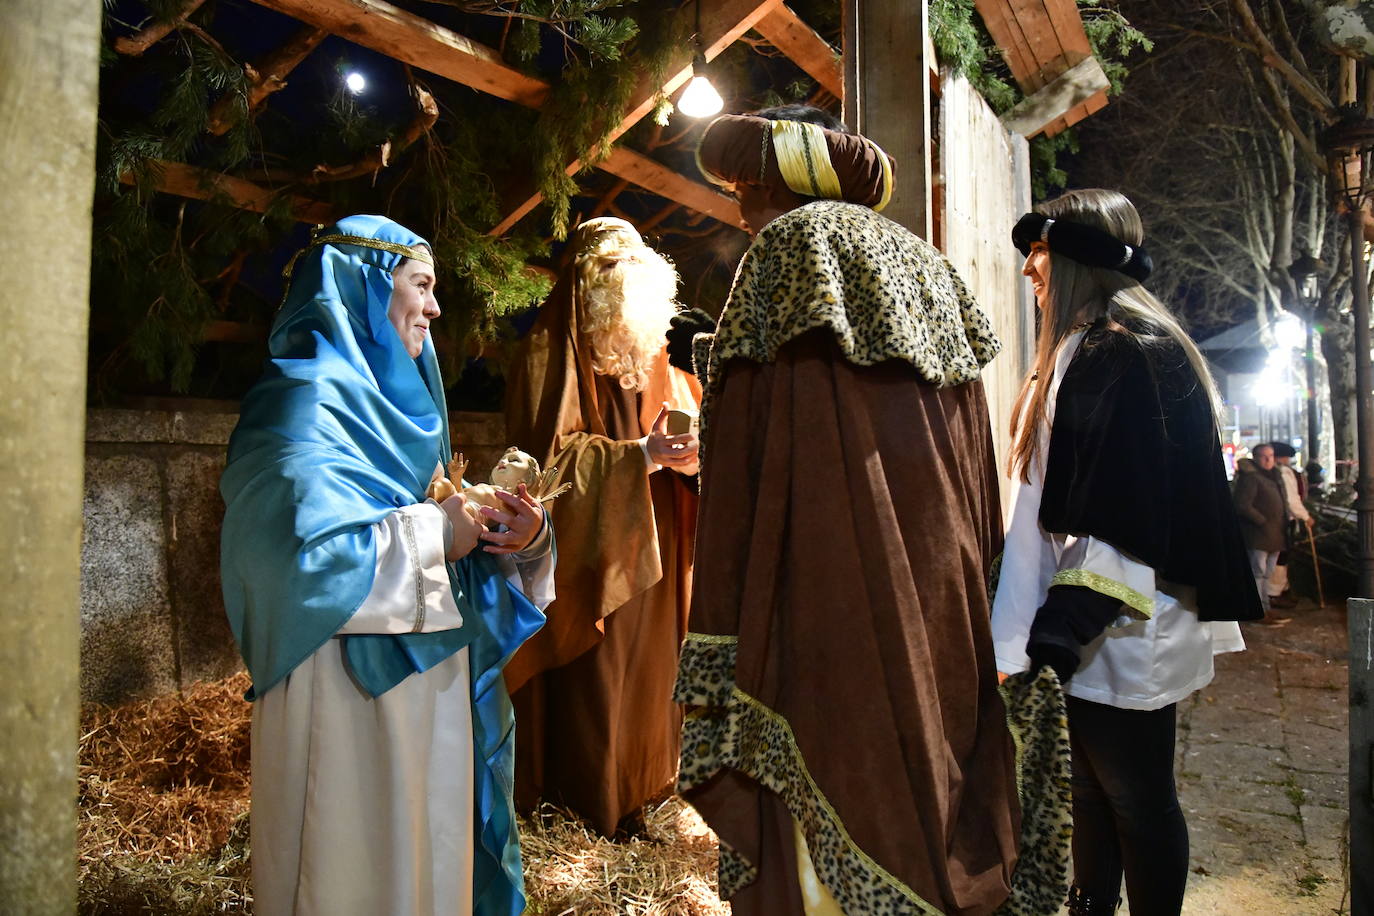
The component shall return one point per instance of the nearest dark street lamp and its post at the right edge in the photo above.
(1350, 149)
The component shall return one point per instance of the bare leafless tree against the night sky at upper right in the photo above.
(1217, 141)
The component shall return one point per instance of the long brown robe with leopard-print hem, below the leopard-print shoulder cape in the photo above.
(842, 660)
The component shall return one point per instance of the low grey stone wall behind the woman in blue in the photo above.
(152, 615)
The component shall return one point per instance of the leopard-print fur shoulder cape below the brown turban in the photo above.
(881, 290)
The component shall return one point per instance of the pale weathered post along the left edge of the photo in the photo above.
(49, 76)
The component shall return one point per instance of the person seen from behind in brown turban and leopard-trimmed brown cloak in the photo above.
(846, 740)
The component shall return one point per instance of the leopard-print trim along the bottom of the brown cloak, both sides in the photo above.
(730, 729)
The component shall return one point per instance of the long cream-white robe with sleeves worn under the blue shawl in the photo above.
(365, 805)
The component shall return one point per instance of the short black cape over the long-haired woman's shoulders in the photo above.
(1136, 462)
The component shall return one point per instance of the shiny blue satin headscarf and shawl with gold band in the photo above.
(343, 429)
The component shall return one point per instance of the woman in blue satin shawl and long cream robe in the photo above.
(373, 626)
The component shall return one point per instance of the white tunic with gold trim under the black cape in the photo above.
(1137, 664)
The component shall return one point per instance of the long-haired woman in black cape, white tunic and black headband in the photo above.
(1125, 569)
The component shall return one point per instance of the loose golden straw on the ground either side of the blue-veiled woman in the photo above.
(164, 800)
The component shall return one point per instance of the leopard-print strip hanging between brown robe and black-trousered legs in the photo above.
(1039, 727)
